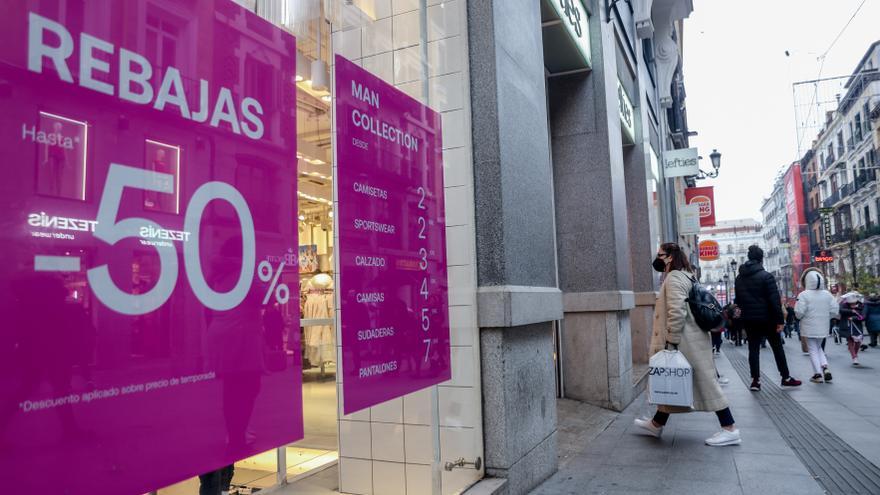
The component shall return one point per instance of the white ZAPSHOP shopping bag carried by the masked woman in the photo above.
(670, 379)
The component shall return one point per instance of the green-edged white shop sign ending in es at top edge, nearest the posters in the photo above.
(566, 35)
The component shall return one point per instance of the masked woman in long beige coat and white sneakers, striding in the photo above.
(674, 326)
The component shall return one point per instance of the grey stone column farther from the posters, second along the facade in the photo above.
(593, 235)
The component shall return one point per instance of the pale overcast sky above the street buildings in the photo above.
(738, 82)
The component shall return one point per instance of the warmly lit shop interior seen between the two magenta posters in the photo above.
(315, 337)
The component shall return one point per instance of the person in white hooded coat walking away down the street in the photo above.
(815, 307)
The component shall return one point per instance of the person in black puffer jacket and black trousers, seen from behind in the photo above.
(761, 314)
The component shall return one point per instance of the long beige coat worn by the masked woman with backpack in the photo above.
(674, 322)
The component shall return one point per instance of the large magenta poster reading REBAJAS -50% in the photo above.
(148, 194)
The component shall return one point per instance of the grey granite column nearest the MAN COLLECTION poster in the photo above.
(518, 298)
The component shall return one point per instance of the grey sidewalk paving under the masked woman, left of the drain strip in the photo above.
(621, 461)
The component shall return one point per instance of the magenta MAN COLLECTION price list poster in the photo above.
(392, 241)
